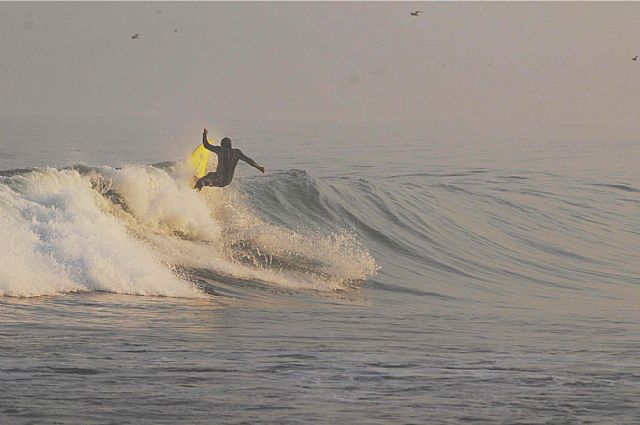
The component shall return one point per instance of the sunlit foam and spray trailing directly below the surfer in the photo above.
(338, 258)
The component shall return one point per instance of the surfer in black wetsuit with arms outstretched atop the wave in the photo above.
(227, 160)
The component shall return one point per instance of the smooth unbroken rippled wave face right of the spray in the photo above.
(484, 234)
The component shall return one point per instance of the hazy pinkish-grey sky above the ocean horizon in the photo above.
(468, 63)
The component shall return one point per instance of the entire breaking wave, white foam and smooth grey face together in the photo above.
(481, 234)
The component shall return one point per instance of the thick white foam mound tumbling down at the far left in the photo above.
(64, 242)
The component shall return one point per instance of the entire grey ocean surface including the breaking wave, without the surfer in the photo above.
(377, 273)
